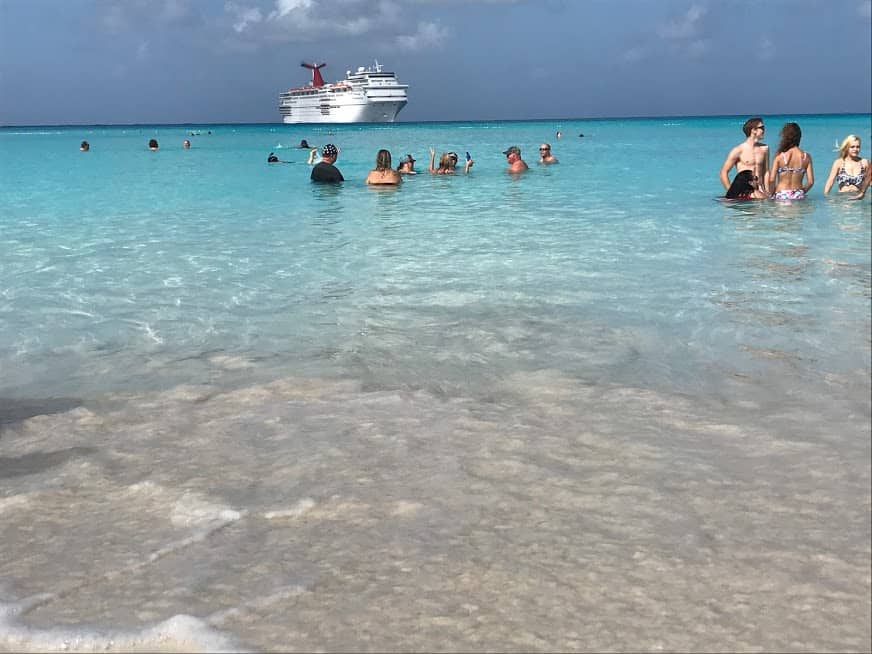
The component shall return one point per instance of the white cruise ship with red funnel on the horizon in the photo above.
(368, 95)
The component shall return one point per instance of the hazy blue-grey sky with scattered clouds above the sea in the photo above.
(225, 61)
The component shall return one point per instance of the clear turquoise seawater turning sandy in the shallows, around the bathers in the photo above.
(589, 408)
